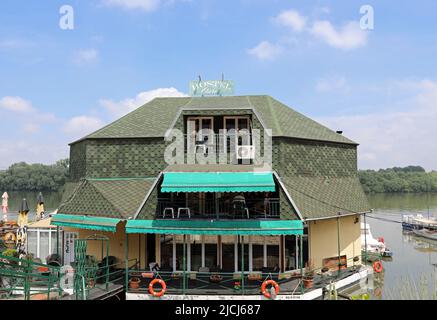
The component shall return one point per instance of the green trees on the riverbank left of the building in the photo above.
(34, 177)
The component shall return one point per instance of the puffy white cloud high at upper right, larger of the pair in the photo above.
(350, 36)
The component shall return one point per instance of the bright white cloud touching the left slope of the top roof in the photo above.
(120, 108)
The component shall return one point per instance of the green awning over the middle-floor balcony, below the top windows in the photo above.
(218, 182)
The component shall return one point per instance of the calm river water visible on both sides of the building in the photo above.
(414, 261)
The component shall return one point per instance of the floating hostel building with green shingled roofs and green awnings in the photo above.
(213, 196)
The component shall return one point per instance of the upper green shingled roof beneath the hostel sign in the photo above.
(157, 116)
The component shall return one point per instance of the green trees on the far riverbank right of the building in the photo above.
(408, 179)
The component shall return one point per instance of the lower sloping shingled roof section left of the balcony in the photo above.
(112, 198)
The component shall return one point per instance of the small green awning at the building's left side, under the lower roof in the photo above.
(84, 222)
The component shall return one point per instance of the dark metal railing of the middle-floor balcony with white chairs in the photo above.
(268, 208)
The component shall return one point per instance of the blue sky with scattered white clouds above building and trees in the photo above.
(379, 86)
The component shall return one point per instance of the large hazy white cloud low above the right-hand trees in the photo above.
(397, 138)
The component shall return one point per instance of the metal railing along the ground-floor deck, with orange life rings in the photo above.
(240, 283)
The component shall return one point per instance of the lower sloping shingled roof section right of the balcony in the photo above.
(319, 197)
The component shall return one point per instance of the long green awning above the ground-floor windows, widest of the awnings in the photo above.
(208, 227)
